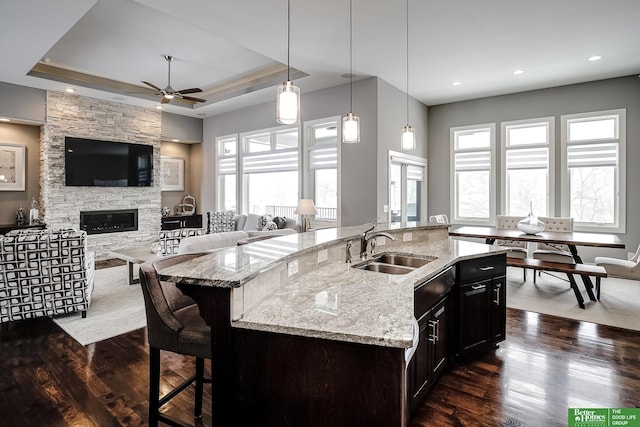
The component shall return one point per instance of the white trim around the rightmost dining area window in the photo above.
(621, 202)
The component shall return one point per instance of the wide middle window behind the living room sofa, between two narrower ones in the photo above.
(269, 162)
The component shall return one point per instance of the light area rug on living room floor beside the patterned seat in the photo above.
(116, 308)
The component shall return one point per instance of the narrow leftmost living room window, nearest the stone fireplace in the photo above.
(227, 172)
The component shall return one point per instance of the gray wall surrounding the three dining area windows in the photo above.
(623, 92)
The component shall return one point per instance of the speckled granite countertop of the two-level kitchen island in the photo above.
(333, 300)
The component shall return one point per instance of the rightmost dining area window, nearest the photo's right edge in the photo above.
(593, 181)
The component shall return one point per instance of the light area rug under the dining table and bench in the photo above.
(619, 303)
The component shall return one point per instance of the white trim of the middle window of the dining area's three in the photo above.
(550, 122)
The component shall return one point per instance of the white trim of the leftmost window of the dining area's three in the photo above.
(492, 175)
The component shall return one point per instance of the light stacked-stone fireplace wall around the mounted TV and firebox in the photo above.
(78, 116)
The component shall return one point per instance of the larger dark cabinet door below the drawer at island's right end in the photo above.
(474, 332)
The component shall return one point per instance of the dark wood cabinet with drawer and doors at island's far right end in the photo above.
(481, 315)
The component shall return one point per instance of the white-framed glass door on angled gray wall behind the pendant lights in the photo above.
(407, 184)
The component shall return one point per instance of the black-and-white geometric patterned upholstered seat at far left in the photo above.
(44, 273)
